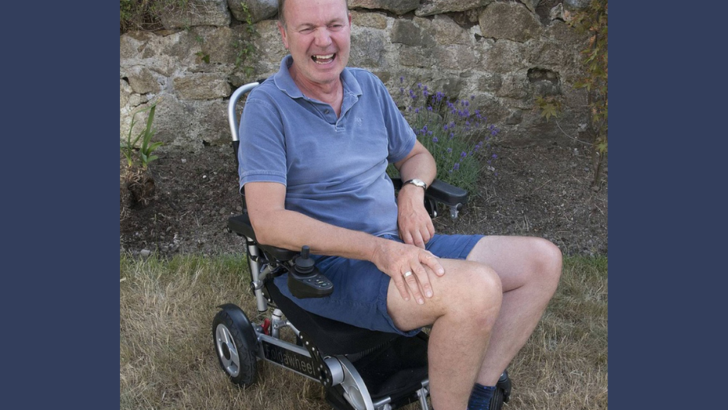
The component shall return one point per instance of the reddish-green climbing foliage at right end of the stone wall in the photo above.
(594, 21)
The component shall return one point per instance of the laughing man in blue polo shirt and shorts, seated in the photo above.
(316, 139)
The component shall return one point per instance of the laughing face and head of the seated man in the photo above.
(317, 34)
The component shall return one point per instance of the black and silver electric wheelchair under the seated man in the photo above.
(360, 369)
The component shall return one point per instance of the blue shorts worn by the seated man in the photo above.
(360, 289)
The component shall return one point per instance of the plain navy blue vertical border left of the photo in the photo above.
(59, 292)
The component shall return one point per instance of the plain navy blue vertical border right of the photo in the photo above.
(667, 224)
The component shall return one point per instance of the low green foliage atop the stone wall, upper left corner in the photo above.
(145, 14)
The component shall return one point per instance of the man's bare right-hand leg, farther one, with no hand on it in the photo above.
(529, 269)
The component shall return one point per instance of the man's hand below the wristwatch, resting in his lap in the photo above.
(415, 224)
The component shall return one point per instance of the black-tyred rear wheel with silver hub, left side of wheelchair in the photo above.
(234, 357)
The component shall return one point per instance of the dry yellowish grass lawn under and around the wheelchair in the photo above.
(167, 359)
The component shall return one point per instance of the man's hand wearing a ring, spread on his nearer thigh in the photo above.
(406, 265)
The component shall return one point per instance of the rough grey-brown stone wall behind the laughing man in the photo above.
(499, 54)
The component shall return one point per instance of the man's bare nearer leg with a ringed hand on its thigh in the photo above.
(462, 312)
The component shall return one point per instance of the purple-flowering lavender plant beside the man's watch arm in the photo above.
(458, 136)
